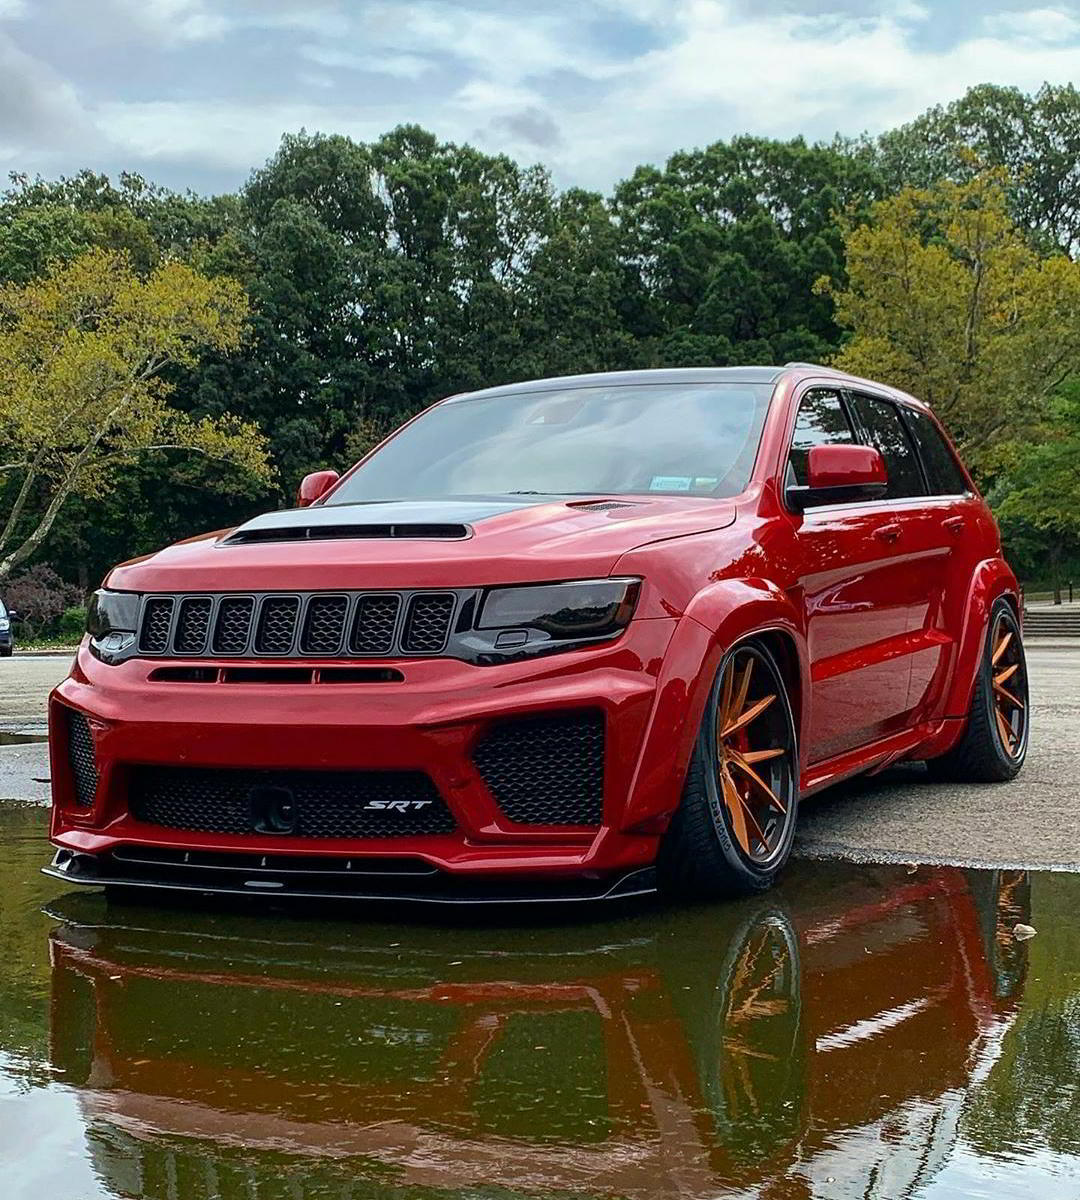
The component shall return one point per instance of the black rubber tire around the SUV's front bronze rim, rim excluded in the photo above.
(700, 857)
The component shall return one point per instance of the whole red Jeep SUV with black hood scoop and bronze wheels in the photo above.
(560, 640)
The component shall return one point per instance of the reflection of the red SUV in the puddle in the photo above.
(769, 1046)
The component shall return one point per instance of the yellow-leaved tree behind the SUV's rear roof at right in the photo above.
(947, 301)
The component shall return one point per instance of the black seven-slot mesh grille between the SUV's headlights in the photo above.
(325, 625)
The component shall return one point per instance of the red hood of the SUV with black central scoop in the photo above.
(423, 544)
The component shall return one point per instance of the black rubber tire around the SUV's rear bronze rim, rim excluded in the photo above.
(982, 757)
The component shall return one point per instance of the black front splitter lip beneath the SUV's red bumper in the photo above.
(431, 887)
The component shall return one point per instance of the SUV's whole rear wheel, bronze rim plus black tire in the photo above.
(994, 745)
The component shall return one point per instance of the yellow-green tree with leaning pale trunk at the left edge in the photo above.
(83, 359)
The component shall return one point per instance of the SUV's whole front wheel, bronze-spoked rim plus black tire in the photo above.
(736, 821)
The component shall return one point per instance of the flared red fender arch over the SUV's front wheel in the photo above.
(717, 619)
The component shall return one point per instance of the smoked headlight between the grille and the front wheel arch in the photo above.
(577, 611)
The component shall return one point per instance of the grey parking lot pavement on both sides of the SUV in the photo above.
(898, 817)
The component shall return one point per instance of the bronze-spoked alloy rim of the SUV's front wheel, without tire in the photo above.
(754, 757)
